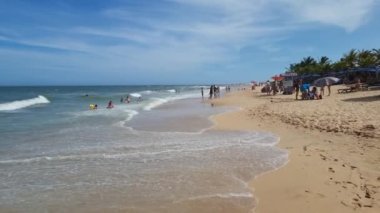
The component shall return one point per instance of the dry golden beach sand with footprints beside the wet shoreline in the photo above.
(333, 145)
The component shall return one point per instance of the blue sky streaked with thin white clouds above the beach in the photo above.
(139, 42)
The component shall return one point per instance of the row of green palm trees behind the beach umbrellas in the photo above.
(352, 59)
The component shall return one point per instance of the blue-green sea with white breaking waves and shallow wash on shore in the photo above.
(157, 153)
